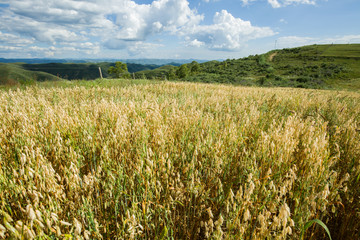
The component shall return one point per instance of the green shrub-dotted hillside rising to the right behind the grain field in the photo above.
(316, 66)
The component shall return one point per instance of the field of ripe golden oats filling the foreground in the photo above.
(170, 160)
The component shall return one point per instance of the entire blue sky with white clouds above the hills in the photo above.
(200, 29)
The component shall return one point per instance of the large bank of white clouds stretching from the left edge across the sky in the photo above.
(86, 26)
